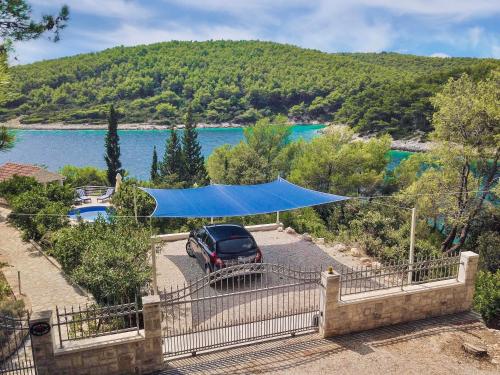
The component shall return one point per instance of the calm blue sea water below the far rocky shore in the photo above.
(56, 148)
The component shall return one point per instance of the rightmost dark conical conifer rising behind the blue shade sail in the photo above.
(194, 164)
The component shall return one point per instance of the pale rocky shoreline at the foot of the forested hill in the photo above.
(410, 145)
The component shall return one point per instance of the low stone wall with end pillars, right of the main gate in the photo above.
(358, 312)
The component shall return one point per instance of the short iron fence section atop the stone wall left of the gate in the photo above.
(76, 323)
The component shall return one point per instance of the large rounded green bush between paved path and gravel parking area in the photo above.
(110, 260)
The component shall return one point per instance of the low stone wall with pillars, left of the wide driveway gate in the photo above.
(122, 353)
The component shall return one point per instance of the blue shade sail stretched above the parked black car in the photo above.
(236, 200)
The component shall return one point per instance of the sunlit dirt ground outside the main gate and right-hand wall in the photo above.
(430, 346)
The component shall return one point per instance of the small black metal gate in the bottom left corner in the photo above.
(15, 354)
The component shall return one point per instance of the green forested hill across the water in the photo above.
(237, 82)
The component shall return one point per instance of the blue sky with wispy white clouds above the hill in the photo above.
(440, 28)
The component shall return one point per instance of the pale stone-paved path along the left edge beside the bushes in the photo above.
(41, 281)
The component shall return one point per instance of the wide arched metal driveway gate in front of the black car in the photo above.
(239, 304)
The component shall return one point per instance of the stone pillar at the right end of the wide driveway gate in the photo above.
(329, 299)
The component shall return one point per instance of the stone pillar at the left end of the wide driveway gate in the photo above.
(153, 349)
